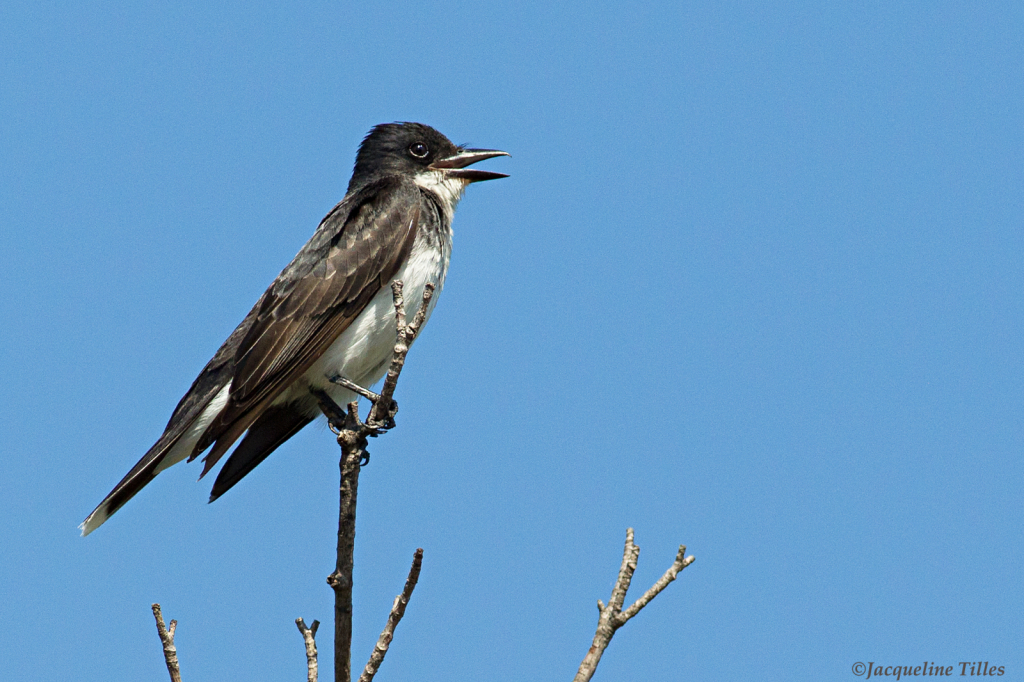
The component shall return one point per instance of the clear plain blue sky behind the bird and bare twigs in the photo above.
(754, 286)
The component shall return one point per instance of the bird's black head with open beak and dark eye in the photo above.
(412, 149)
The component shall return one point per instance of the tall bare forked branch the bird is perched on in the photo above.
(353, 435)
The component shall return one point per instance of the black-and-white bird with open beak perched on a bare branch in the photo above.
(328, 317)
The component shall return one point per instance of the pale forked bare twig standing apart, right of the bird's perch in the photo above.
(613, 617)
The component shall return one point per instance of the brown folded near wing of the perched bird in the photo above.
(358, 250)
